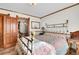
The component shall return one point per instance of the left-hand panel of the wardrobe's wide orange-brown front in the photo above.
(7, 31)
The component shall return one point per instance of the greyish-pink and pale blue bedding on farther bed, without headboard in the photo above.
(58, 41)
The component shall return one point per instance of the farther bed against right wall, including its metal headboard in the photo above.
(56, 35)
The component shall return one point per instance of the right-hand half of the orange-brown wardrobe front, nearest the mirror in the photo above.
(14, 30)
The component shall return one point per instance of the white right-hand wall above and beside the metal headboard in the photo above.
(71, 14)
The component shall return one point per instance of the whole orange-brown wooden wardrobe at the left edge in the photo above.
(8, 30)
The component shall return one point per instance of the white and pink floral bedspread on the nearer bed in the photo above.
(43, 48)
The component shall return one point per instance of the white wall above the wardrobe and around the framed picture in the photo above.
(13, 14)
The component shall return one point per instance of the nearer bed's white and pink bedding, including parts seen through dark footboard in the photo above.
(38, 47)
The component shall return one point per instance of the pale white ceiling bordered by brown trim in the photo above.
(38, 10)
